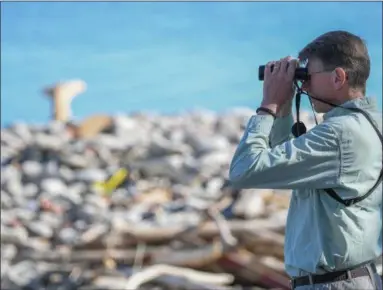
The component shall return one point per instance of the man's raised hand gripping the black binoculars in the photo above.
(278, 86)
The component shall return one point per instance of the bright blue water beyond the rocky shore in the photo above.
(162, 56)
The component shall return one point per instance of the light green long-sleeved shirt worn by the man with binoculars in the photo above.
(344, 153)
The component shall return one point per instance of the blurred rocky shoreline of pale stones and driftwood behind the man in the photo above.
(135, 201)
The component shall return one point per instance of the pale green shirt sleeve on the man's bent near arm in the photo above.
(309, 161)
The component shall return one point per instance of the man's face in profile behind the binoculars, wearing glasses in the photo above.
(319, 85)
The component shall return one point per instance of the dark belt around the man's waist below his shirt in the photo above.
(333, 276)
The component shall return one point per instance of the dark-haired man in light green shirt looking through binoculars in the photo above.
(328, 245)
